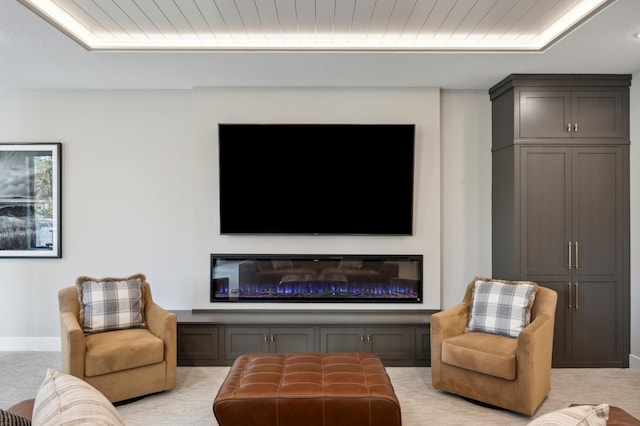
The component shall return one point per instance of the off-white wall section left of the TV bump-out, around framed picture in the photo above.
(127, 200)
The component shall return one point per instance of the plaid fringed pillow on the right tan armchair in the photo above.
(501, 308)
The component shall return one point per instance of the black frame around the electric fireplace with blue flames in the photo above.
(310, 257)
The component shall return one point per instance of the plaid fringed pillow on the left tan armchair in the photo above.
(111, 303)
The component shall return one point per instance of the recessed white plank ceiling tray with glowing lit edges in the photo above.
(419, 25)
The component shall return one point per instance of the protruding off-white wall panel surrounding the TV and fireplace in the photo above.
(298, 105)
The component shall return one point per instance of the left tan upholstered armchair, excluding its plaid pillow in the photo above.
(121, 363)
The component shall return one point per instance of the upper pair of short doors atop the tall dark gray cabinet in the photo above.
(564, 114)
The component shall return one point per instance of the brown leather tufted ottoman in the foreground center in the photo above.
(310, 389)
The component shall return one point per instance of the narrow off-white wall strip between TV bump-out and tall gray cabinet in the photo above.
(466, 191)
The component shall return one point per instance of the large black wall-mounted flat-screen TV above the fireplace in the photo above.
(316, 179)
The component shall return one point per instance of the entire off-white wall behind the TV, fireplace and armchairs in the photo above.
(139, 191)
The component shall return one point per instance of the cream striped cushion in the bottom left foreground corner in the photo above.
(66, 399)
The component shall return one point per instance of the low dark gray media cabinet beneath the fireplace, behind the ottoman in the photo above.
(401, 338)
